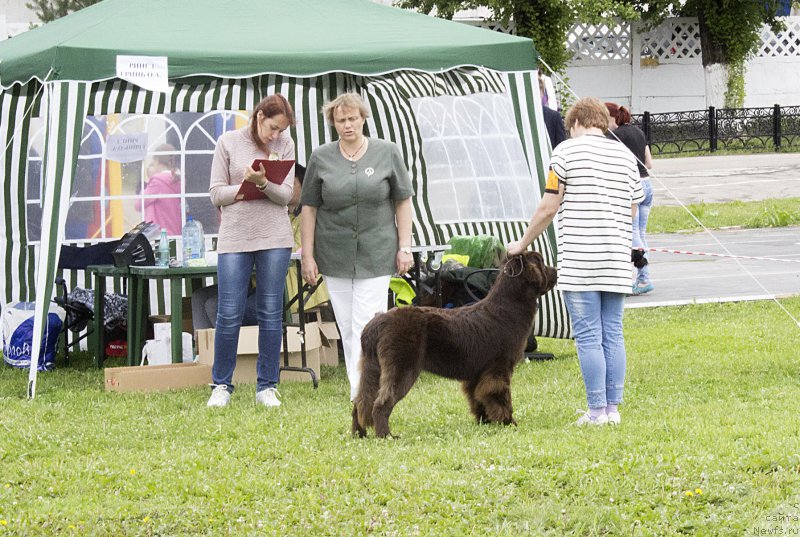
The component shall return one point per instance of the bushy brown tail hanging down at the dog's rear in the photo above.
(370, 376)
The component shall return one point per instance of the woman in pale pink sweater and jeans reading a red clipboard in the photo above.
(254, 231)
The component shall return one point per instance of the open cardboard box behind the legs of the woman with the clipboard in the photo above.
(247, 352)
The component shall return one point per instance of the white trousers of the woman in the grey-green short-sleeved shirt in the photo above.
(355, 302)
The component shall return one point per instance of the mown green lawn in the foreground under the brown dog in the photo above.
(709, 445)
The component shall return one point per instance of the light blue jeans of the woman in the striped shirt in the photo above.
(597, 327)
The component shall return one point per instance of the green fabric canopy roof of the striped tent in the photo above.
(242, 38)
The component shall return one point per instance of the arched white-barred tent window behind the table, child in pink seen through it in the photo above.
(109, 197)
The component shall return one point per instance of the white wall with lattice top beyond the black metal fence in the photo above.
(667, 73)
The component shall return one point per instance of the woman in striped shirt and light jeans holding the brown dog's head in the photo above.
(593, 185)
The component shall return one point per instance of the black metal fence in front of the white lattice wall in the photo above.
(730, 129)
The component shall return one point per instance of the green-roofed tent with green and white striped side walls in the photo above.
(226, 55)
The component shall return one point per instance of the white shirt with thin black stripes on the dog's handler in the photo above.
(594, 220)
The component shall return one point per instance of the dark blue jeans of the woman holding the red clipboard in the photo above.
(234, 271)
